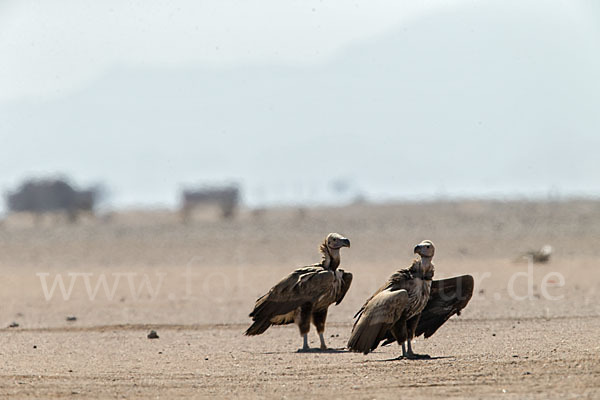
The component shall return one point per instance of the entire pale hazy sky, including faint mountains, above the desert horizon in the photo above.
(398, 98)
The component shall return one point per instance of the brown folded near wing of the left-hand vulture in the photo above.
(304, 285)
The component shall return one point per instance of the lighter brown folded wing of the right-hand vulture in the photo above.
(376, 318)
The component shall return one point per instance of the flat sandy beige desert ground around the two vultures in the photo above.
(529, 331)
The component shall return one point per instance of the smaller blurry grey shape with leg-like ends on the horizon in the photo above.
(227, 198)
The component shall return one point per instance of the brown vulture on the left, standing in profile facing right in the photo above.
(305, 295)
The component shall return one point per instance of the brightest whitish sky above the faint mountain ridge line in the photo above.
(57, 47)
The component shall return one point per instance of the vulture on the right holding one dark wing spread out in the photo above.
(408, 305)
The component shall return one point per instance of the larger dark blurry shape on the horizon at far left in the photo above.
(39, 196)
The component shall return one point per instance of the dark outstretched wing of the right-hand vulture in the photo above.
(448, 297)
